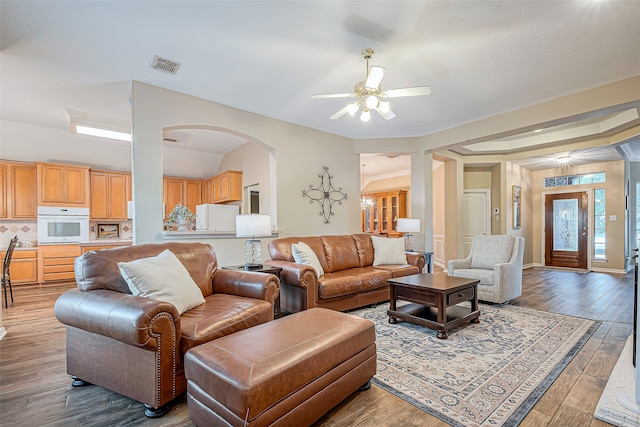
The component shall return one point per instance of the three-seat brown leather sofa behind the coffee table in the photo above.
(350, 279)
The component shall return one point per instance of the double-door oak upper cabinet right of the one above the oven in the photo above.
(109, 192)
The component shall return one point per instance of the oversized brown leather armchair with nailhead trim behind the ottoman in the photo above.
(135, 345)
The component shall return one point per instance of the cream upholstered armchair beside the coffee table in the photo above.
(497, 262)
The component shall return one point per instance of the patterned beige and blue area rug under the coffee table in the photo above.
(486, 374)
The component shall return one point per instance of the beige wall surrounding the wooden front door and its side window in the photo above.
(615, 205)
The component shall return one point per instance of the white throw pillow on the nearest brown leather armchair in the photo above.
(162, 277)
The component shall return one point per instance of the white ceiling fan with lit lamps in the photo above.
(370, 96)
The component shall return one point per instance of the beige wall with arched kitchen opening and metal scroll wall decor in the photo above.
(300, 154)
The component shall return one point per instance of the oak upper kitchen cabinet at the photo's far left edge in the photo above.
(17, 190)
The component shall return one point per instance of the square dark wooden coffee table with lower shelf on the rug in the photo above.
(434, 298)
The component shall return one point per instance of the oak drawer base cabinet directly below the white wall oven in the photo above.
(55, 262)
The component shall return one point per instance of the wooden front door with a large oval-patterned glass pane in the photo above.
(566, 230)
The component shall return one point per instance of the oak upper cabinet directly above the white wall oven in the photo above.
(63, 185)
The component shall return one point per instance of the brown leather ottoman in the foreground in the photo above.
(288, 372)
